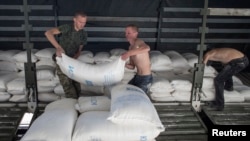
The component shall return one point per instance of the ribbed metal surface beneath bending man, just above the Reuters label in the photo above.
(233, 114)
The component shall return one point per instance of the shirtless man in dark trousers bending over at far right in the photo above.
(234, 61)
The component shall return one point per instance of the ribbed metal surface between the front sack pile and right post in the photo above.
(181, 123)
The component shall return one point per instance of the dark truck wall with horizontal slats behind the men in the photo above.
(179, 22)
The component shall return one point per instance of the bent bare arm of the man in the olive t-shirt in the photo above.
(50, 36)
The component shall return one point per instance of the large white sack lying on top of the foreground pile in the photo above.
(129, 104)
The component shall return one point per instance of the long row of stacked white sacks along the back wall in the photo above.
(172, 73)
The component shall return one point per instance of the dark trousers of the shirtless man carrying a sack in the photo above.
(142, 81)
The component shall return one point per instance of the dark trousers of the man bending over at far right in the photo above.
(224, 78)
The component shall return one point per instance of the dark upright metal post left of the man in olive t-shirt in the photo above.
(30, 68)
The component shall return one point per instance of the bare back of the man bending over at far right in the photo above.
(223, 55)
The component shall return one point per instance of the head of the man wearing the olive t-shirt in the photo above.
(80, 19)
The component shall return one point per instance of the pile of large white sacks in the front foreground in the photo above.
(128, 116)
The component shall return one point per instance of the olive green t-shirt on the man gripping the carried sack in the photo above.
(70, 39)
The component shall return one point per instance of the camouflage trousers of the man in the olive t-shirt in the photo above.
(71, 88)
